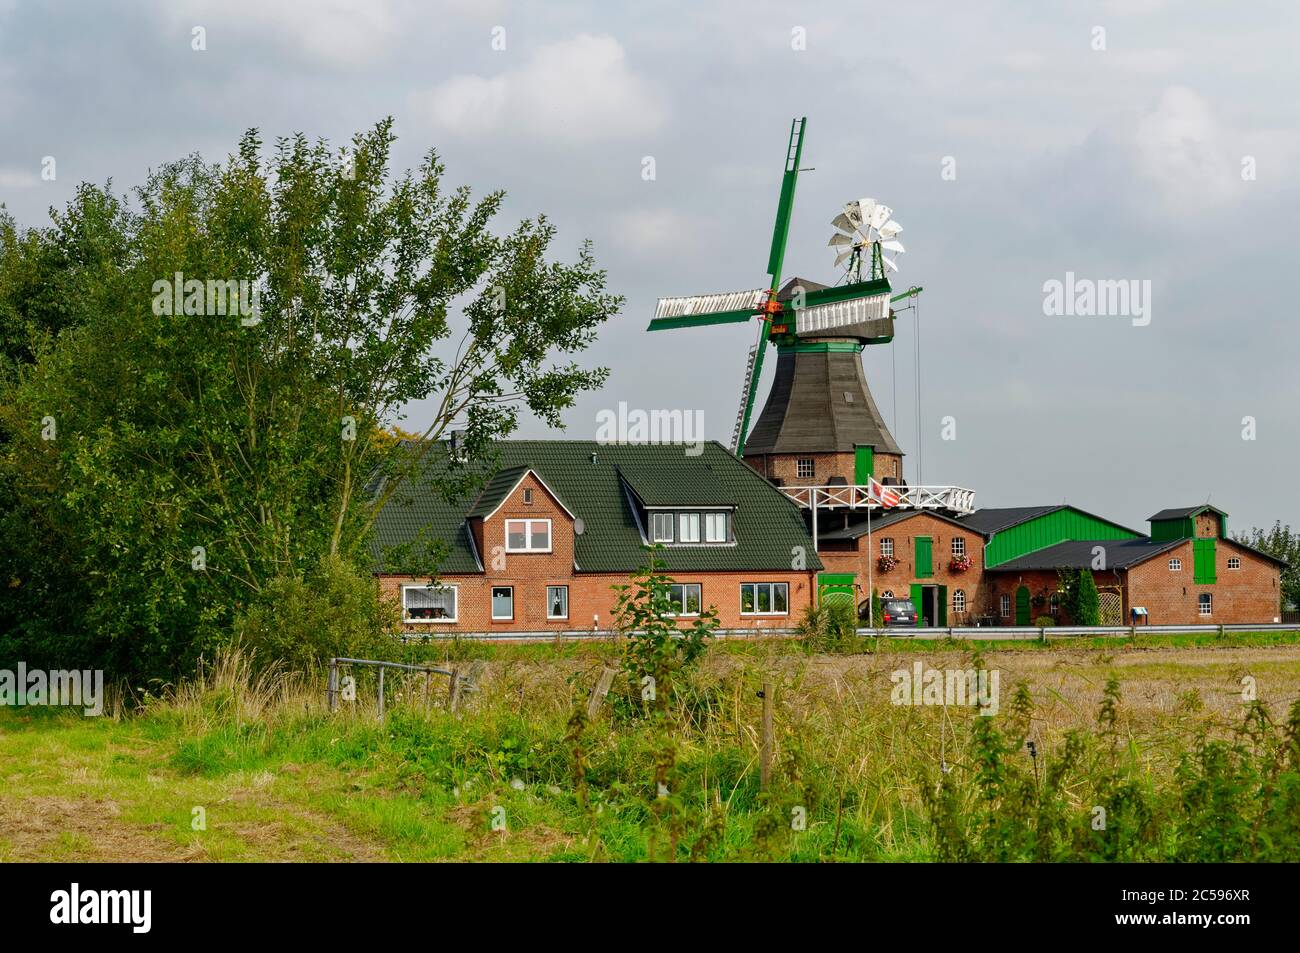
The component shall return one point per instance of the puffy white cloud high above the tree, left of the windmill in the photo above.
(582, 89)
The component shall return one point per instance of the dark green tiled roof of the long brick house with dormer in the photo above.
(768, 526)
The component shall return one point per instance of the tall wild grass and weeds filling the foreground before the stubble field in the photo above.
(519, 772)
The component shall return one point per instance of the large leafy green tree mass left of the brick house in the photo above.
(207, 453)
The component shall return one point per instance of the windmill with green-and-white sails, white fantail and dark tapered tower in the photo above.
(820, 426)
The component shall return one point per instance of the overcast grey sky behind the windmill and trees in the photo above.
(1132, 162)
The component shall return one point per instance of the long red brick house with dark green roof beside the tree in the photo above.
(540, 547)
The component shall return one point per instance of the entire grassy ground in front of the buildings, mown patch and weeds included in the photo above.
(517, 777)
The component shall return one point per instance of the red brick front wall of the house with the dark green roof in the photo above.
(592, 600)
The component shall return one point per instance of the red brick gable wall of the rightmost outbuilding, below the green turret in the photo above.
(1250, 595)
